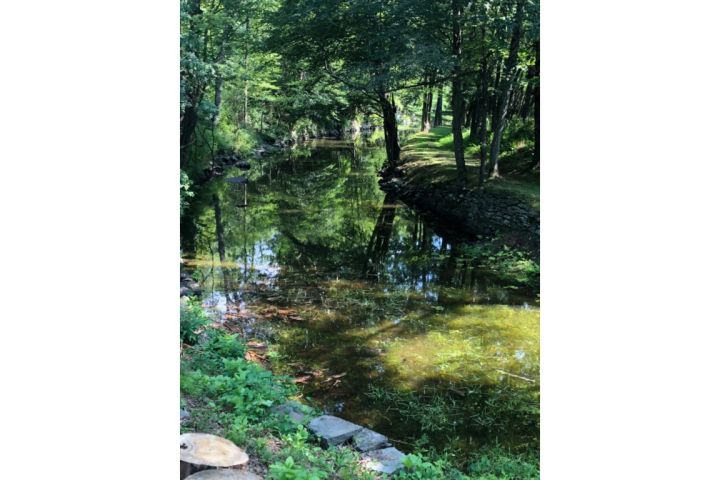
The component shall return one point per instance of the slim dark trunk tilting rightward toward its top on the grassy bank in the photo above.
(506, 88)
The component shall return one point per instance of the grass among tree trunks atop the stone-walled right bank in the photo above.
(428, 159)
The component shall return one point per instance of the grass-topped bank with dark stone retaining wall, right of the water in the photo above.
(508, 207)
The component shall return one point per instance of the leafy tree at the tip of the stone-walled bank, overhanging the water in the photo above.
(369, 47)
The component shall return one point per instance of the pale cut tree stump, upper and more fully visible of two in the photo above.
(201, 451)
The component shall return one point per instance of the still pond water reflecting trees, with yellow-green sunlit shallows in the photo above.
(379, 318)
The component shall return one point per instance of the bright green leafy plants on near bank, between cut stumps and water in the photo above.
(233, 397)
